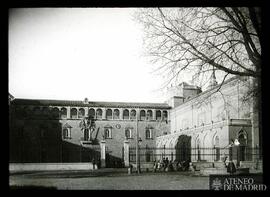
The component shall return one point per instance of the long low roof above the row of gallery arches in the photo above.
(40, 102)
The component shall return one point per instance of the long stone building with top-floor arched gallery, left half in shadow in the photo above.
(48, 130)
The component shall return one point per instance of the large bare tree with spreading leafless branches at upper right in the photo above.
(198, 40)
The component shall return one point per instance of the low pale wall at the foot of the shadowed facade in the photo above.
(17, 167)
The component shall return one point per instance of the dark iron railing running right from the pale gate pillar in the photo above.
(239, 153)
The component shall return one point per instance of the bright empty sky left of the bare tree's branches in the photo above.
(77, 53)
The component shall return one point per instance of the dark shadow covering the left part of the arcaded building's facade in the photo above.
(38, 139)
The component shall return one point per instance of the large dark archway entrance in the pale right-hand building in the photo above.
(183, 148)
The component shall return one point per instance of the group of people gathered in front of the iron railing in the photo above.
(168, 166)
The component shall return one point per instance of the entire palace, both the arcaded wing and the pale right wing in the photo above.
(191, 125)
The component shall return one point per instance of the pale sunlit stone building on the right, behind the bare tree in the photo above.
(205, 124)
